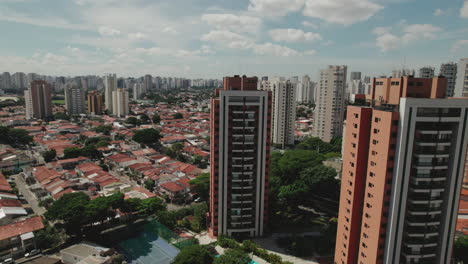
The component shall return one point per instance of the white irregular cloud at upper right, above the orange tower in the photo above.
(386, 40)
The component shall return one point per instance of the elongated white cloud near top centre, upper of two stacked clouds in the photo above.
(232, 22)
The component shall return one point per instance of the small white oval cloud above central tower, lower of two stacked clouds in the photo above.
(229, 39)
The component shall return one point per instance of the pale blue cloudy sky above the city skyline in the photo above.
(216, 38)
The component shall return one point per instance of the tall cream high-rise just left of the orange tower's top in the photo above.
(330, 102)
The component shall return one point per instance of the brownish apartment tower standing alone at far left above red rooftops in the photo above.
(38, 101)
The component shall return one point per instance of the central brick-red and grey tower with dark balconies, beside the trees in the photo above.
(240, 150)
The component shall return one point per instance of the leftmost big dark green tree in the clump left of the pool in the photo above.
(70, 208)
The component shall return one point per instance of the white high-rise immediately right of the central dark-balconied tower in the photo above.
(283, 113)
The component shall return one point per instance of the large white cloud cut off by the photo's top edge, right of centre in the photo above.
(344, 12)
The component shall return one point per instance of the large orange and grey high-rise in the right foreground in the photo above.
(402, 172)
